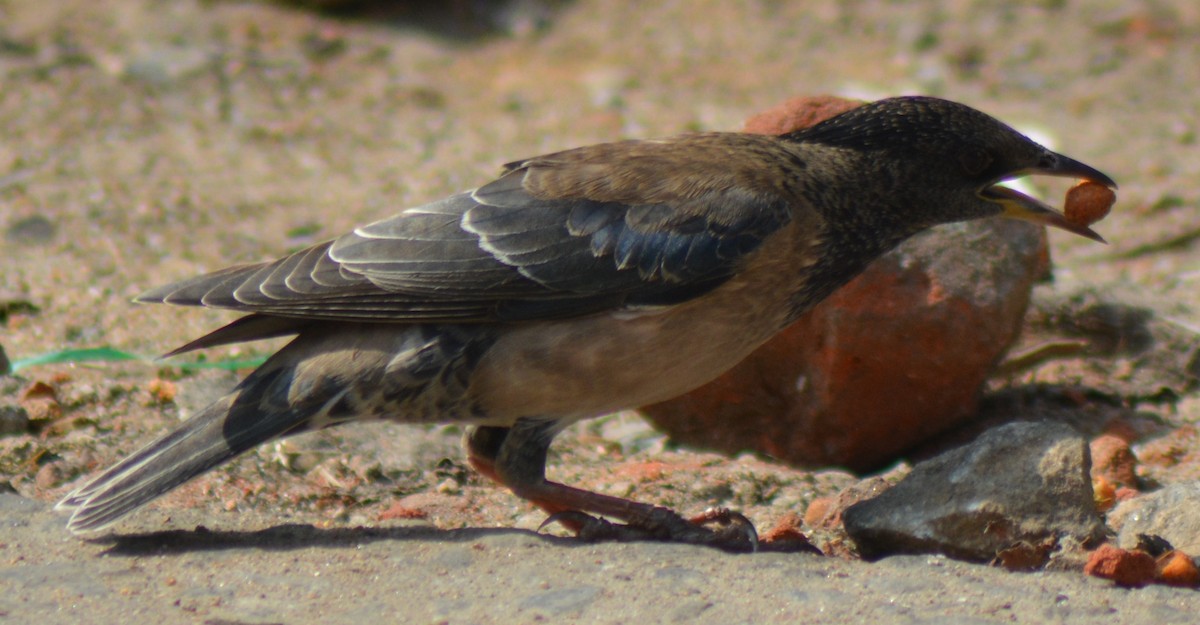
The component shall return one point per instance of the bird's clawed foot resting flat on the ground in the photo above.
(717, 527)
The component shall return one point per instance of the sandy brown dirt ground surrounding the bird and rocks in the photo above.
(145, 142)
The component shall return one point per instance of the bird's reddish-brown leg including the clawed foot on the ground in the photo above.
(517, 458)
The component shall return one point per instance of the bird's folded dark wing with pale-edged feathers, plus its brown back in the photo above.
(609, 227)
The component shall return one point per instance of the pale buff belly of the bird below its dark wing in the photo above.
(586, 368)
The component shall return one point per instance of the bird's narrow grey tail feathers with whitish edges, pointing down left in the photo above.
(230, 426)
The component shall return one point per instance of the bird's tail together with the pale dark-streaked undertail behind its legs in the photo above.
(328, 376)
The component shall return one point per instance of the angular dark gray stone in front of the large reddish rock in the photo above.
(1017, 483)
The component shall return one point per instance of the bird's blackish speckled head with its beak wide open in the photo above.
(949, 160)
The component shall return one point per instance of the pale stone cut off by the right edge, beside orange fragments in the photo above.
(1173, 514)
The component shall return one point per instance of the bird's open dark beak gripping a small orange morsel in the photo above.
(1018, 206)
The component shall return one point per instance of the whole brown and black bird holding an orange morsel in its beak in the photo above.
(579, 284)
